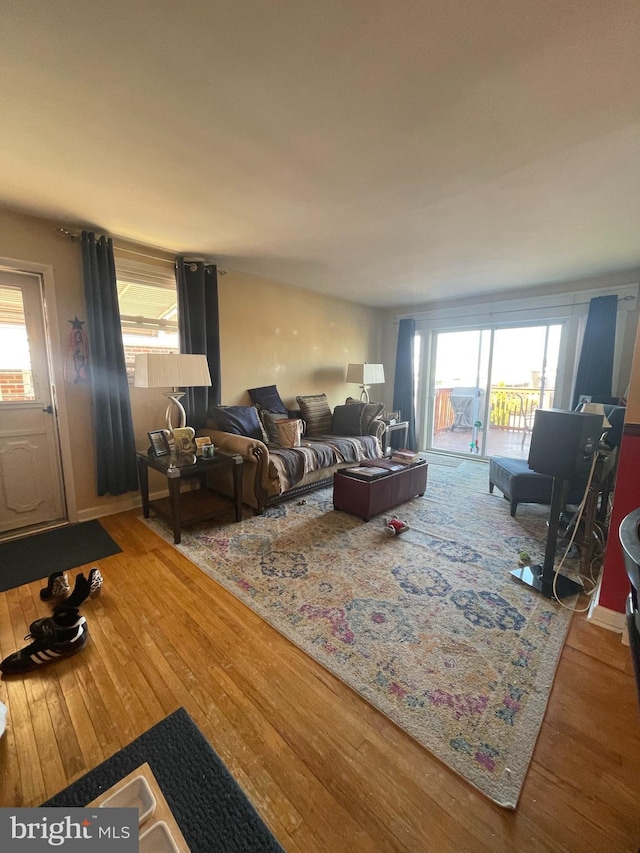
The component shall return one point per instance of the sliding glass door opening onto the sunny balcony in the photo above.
(486, 385)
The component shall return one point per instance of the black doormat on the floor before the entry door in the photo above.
(37, 556)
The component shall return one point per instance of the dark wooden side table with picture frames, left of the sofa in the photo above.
(184, 508)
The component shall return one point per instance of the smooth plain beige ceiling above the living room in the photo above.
(387, 152)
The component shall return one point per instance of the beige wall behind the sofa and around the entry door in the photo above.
(271, 333)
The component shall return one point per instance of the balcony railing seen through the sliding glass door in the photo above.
(510, 408)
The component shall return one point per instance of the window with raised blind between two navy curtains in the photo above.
(148, 307)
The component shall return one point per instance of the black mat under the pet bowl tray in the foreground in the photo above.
(210, 808)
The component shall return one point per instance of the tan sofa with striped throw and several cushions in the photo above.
(274, 471)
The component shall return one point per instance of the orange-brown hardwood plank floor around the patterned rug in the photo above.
(325, 770)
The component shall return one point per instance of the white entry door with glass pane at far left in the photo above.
(30, 471)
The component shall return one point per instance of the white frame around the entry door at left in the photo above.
(55, 361)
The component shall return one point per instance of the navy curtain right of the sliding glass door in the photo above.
(595, 368)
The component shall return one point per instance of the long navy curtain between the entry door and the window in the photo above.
(113, 426)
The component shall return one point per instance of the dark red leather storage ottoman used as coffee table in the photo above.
(367, 498)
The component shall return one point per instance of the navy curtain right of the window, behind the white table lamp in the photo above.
(199, 331)
